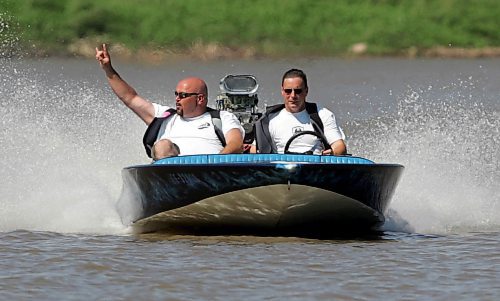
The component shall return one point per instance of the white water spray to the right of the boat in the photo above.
(448, 143)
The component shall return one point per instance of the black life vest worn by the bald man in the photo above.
(151, 134)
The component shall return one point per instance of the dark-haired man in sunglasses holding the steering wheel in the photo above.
(282, 122)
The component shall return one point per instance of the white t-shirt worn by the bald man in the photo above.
(195, 135)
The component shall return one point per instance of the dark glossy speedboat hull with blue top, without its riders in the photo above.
(258, 194)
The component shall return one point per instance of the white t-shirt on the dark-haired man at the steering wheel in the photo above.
(283, 125)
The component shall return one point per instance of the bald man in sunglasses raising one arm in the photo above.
(188, 131)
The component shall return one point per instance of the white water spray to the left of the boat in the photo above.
(62, 152)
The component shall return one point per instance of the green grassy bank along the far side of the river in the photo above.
(320, 27)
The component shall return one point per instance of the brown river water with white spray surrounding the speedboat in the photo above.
(65, 138)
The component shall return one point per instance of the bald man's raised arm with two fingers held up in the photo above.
(140, 106)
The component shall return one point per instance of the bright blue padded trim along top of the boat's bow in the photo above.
(267, 158)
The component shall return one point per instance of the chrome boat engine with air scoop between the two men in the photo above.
(238, 95)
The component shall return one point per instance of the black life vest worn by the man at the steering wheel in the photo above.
(264, 142)
